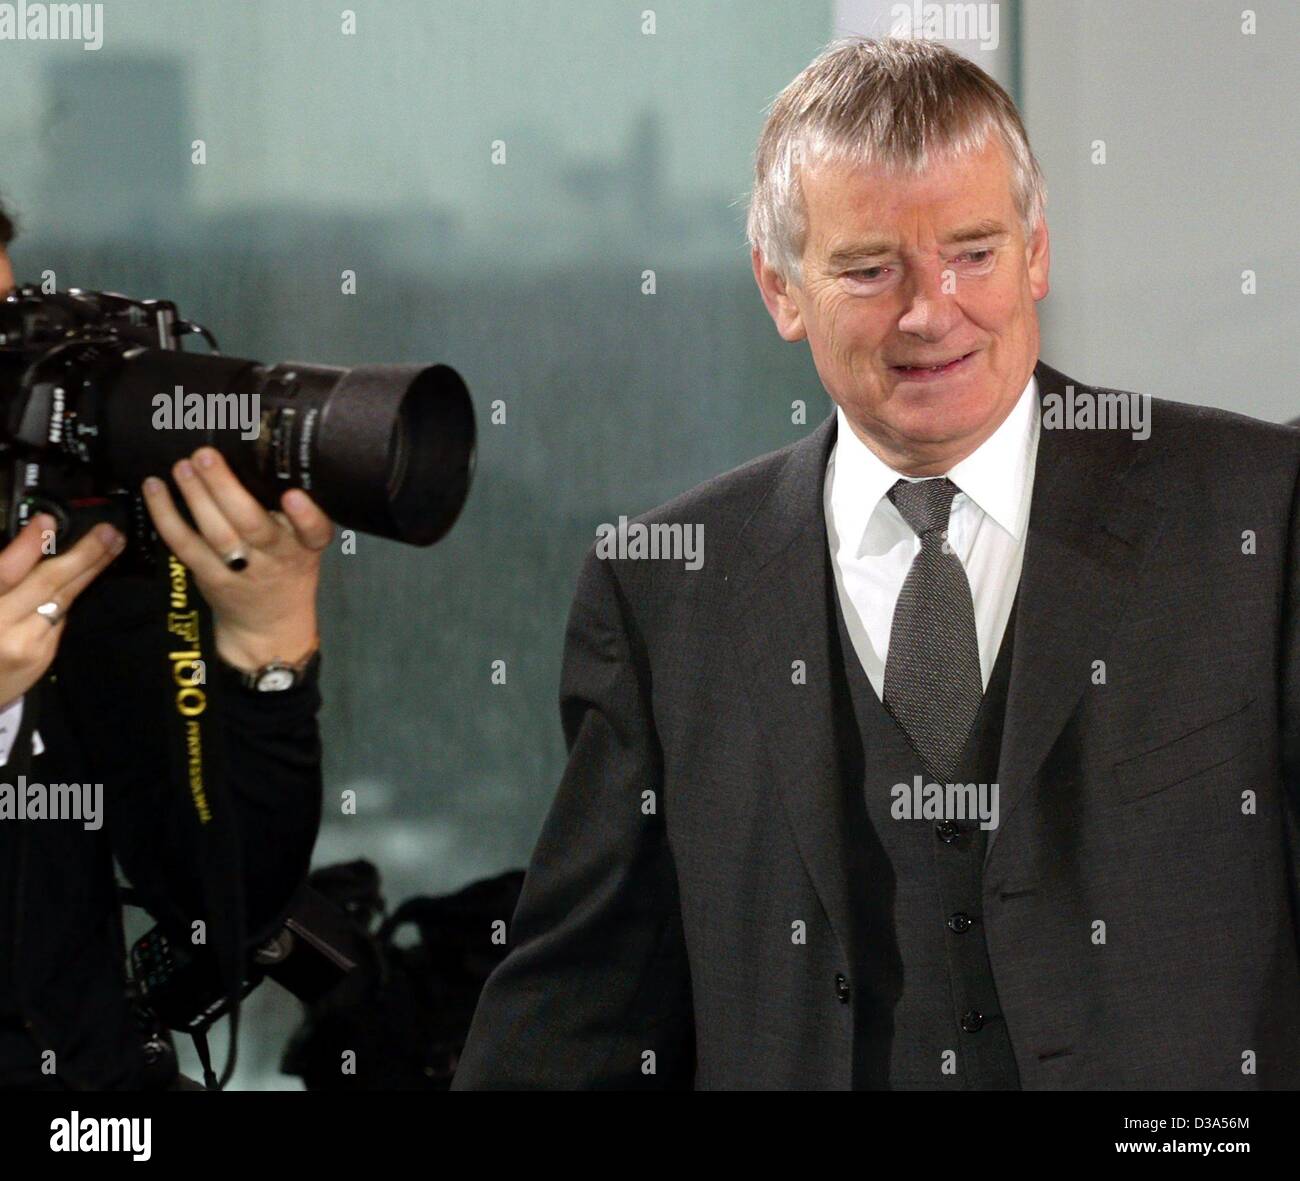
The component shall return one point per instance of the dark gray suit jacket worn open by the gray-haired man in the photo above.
(1141, 894)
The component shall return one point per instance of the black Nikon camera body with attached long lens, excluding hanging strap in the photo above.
(96, 395)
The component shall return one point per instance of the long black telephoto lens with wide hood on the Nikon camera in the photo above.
(383, 449)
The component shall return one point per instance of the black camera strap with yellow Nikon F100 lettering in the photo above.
(185, 652)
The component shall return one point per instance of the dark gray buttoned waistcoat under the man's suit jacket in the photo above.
(929, 1003)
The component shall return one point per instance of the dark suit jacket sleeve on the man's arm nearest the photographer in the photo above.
(595, 992)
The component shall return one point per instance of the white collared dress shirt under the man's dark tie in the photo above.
(873, 547)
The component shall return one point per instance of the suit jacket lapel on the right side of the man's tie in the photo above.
(1087, 533)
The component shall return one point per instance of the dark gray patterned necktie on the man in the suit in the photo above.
(933, 677)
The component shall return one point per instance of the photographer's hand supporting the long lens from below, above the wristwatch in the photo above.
(267, 611)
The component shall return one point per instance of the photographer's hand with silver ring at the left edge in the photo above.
(29, 641)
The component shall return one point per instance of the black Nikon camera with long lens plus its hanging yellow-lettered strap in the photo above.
(97, 395)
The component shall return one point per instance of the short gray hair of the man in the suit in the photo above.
(896, 103)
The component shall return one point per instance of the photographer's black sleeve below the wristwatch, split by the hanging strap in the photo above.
(272, 776)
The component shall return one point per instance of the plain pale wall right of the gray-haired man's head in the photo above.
(1199, 124)
